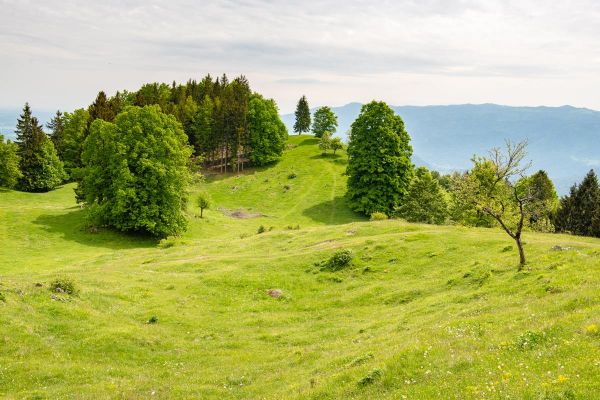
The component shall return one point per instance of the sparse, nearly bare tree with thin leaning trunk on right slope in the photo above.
(499, 193)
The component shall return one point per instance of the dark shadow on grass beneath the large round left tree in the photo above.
(70, 226)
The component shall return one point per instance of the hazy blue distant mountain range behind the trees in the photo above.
(565, 141)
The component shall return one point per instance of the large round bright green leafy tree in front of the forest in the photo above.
(135, 175)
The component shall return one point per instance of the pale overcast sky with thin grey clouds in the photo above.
(59, 54)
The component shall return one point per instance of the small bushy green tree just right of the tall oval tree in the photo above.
(425, 201)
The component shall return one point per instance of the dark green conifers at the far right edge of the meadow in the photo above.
(579, 212)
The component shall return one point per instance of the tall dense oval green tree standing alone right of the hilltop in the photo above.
(379, 167)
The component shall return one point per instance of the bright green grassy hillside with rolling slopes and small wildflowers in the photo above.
(425, 312)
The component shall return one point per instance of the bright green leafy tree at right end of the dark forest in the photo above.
(267, 133)
